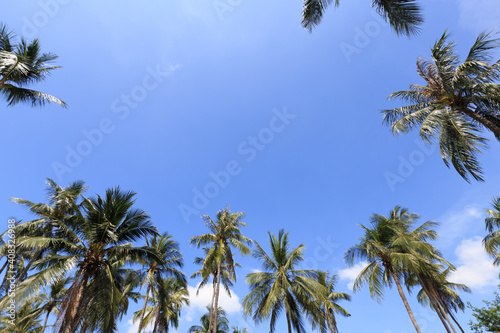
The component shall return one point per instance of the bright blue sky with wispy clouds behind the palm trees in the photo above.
(166, 96)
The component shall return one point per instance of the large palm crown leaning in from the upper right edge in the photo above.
(458, 101)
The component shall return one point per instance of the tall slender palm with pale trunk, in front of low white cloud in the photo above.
(225, 233)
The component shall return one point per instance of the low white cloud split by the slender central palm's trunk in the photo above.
(198, 303)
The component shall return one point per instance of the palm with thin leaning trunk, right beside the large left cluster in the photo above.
(163, 258)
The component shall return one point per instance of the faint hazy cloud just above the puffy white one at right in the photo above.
(459, 223)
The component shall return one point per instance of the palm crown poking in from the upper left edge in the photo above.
(22, 64)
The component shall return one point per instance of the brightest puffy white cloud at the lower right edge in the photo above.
(475, 268)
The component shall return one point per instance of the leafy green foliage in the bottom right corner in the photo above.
(487, 319)
